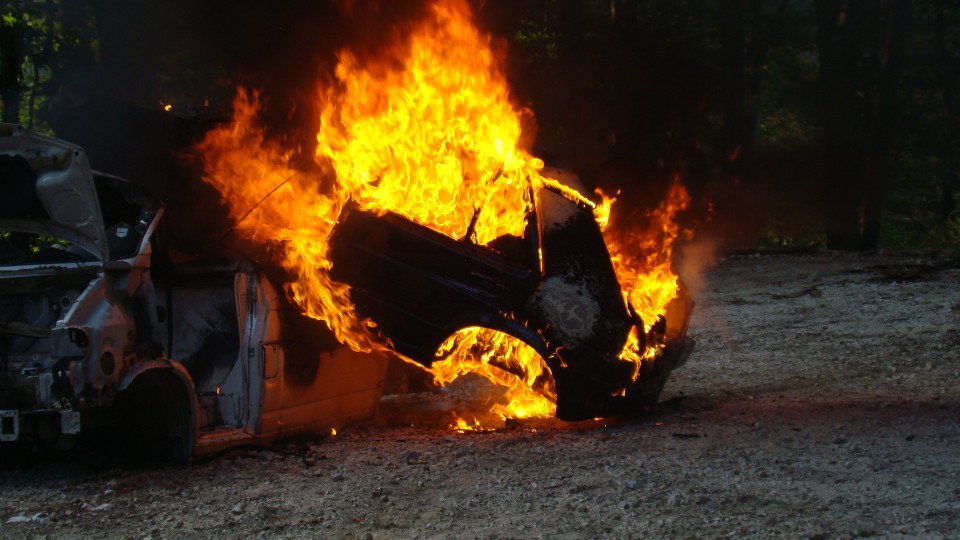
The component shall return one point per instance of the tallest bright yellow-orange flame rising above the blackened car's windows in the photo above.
(434, 141)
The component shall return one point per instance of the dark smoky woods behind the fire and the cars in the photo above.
(793, 123)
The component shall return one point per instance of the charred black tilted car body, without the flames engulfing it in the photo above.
(554, 289)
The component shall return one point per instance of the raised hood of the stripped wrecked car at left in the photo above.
(48, 189)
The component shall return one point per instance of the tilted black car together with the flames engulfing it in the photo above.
(425, 227)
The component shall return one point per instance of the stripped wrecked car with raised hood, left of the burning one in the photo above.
(103, 323)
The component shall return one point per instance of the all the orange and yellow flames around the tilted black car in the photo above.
(427, 132)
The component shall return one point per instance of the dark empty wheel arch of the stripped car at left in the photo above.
(158, 415)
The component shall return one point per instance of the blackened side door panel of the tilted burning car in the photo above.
(419, 286)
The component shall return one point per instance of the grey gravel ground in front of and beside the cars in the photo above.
(822, 401)
